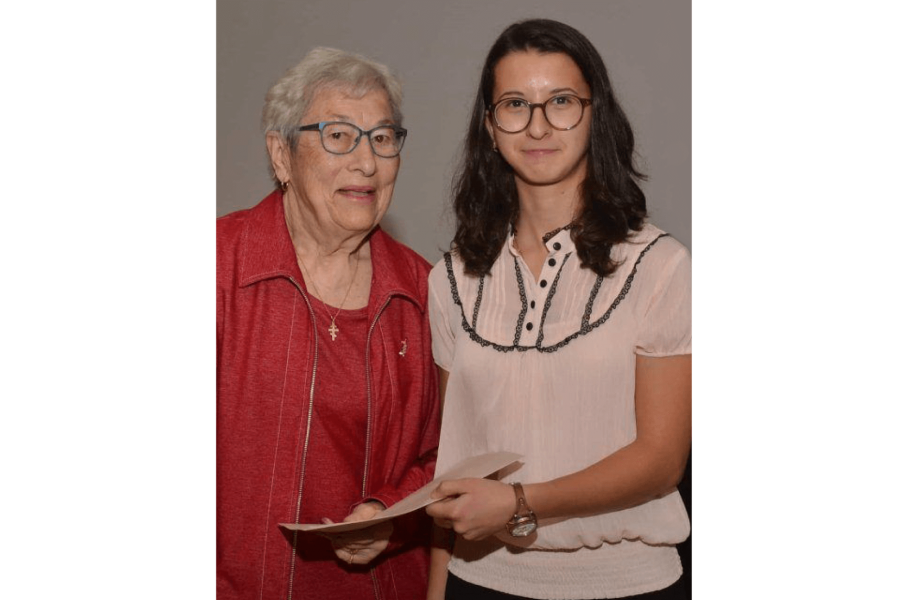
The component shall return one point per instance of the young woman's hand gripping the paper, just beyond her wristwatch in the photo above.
(473, 508)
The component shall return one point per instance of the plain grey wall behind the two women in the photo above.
(437, 49)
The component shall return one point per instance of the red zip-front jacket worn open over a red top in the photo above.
(266, 354)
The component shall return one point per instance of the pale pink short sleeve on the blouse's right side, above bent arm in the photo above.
(667, 321)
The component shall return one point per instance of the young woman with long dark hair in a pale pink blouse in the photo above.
(562, 323)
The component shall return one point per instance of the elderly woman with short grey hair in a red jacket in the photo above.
(326, 397)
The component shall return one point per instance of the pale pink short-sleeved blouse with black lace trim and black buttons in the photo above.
(545, 368)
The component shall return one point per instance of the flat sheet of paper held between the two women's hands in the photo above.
(476, 466)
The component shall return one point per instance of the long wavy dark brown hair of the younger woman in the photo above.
(484, 192)
